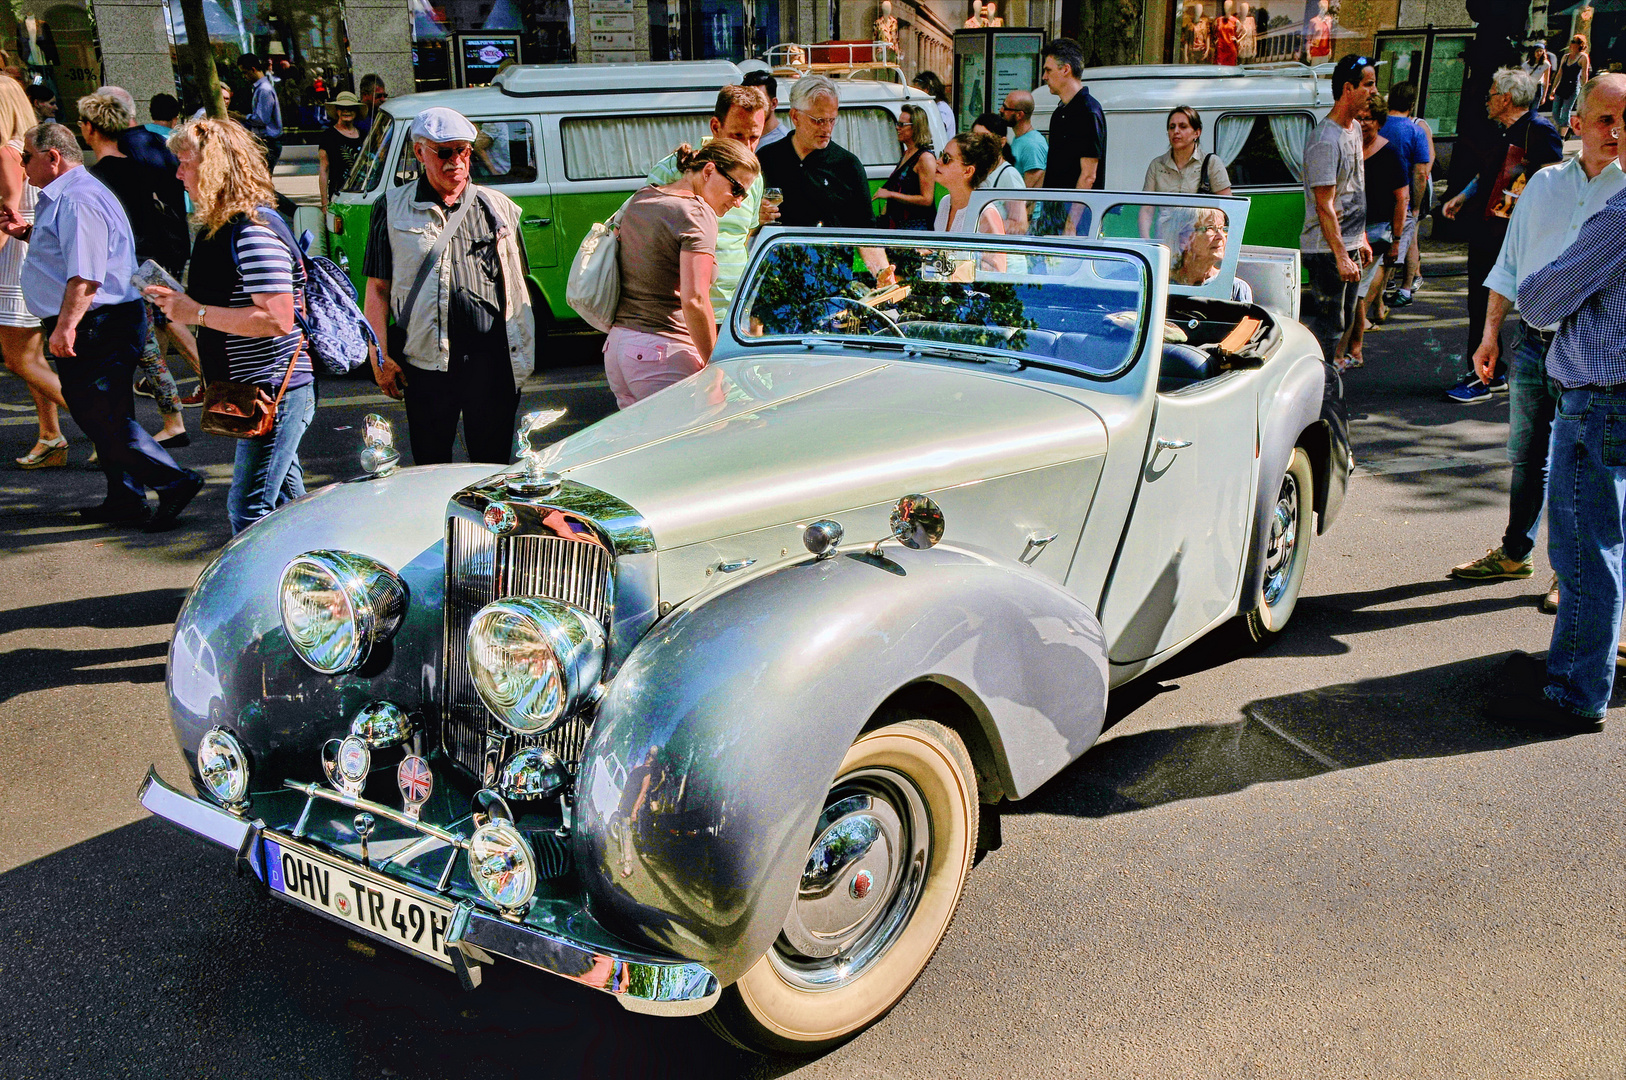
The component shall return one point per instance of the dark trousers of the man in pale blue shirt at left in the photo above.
(97, 388)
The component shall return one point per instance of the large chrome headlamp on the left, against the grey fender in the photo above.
(337, 607)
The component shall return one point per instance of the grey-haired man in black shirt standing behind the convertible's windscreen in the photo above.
(824, 183)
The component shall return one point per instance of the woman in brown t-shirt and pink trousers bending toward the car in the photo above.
(664, 329)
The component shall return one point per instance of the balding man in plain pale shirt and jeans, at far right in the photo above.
(1549, 216)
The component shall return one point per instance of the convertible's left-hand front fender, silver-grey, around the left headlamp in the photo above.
(230, 661)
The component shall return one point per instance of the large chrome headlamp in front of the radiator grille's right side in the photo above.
(534, 661)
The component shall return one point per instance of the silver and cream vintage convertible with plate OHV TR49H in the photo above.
(715, 703)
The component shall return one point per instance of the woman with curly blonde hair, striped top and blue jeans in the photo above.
(245, 287)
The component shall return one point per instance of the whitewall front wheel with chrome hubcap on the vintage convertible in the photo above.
(880, 886)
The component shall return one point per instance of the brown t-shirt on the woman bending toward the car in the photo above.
(656, 229)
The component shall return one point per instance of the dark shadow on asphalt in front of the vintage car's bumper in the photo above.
(194, 977)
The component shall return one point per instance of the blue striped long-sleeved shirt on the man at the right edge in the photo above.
(1586, 292)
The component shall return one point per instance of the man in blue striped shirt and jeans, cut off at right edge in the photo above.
(1585, 292)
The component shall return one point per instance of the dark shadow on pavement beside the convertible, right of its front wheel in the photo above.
(1430, 713)
